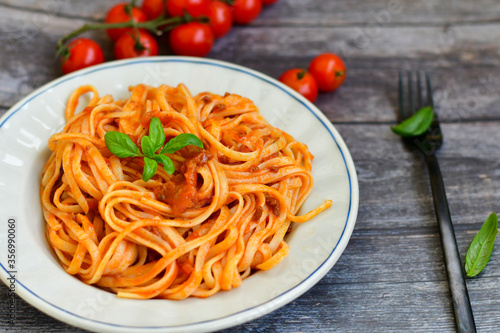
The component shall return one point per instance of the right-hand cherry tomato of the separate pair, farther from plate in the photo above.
(329, 71)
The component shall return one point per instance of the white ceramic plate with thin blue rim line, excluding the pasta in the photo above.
(315, 246)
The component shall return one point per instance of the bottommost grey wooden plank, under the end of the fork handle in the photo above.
(420, 307)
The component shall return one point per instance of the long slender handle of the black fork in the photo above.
(459, 295)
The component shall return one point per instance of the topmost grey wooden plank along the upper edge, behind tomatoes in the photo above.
(299, 13)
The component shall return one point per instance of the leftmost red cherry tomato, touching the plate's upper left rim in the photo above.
(83, 52)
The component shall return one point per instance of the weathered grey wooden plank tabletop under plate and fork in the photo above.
(391, 277)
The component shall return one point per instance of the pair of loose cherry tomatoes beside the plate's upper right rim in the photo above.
(325, 73)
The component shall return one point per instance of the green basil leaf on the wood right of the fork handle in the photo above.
(480, 248)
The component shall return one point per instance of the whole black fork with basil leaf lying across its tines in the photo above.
(427, 144)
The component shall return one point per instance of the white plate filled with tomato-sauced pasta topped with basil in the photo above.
(170, 194)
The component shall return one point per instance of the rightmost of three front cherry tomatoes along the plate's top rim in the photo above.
(192, 39)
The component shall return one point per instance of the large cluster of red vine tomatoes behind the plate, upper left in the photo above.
(194, 25)
